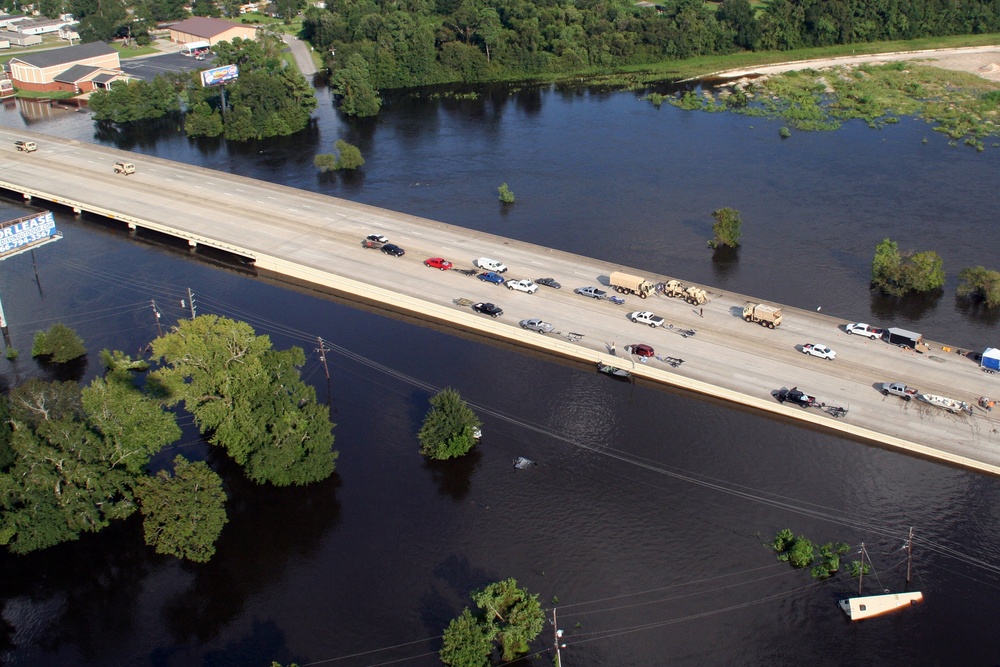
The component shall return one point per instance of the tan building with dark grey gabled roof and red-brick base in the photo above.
(77, 69)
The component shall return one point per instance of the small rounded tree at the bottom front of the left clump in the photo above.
(184, 512)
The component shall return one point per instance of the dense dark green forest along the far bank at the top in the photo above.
(418, 42)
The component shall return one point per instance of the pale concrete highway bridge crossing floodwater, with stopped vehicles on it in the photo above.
(323, 234)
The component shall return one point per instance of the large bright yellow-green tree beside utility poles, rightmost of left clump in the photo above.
(249, 398)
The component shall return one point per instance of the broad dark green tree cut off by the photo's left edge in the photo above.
(77, 456)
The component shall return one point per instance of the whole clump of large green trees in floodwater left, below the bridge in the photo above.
(73, 459)
